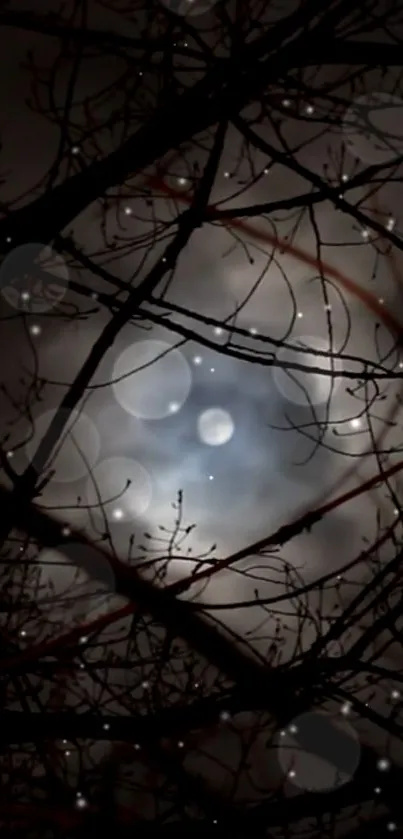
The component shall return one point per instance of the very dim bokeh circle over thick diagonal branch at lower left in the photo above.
(78, 582)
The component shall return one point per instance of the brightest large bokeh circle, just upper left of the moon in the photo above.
(151, 380)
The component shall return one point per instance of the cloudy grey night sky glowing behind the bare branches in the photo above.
(249, 445)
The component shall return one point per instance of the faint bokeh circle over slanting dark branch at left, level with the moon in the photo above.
(77, 450)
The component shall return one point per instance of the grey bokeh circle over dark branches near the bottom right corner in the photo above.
(319, 752)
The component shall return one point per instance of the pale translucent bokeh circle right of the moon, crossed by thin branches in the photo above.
(306, 388)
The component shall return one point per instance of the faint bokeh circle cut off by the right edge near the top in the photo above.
(373, 128)
